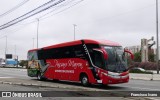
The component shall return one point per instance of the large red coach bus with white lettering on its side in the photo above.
(85, 61)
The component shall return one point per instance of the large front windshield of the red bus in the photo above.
(116, 61)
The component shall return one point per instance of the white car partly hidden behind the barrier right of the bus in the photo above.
(139, 70)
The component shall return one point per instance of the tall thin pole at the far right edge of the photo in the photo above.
(157, 60)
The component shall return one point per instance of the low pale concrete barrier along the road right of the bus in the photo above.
(145, 76)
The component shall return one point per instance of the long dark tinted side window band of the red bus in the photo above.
(63, 52)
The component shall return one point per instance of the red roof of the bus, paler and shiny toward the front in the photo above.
(77, 42)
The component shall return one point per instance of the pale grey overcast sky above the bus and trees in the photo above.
(122, 21)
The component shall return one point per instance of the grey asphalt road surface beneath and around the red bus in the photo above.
(21, 74)
